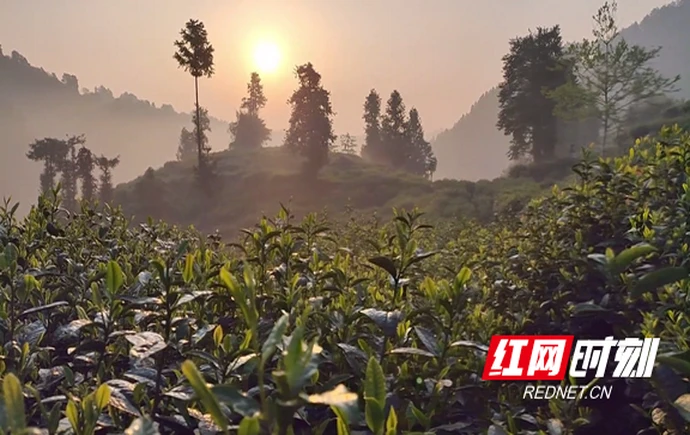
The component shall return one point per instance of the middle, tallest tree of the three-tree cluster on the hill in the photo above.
(394, 132)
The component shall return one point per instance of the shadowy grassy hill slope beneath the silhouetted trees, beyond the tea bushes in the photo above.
(254, 184)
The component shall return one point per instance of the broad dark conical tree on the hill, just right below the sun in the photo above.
(311, 125)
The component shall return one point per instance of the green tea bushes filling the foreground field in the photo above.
(310, 328)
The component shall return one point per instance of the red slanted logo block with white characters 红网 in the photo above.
(528, 357)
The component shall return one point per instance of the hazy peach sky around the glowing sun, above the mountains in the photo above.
(440, 54)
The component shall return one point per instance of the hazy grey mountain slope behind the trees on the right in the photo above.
(475, 149)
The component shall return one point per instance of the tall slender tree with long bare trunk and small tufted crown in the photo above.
(195, 55)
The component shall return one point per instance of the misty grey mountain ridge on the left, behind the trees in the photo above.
(35, 104)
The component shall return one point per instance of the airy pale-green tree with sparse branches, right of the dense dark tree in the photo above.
(609, 76)
